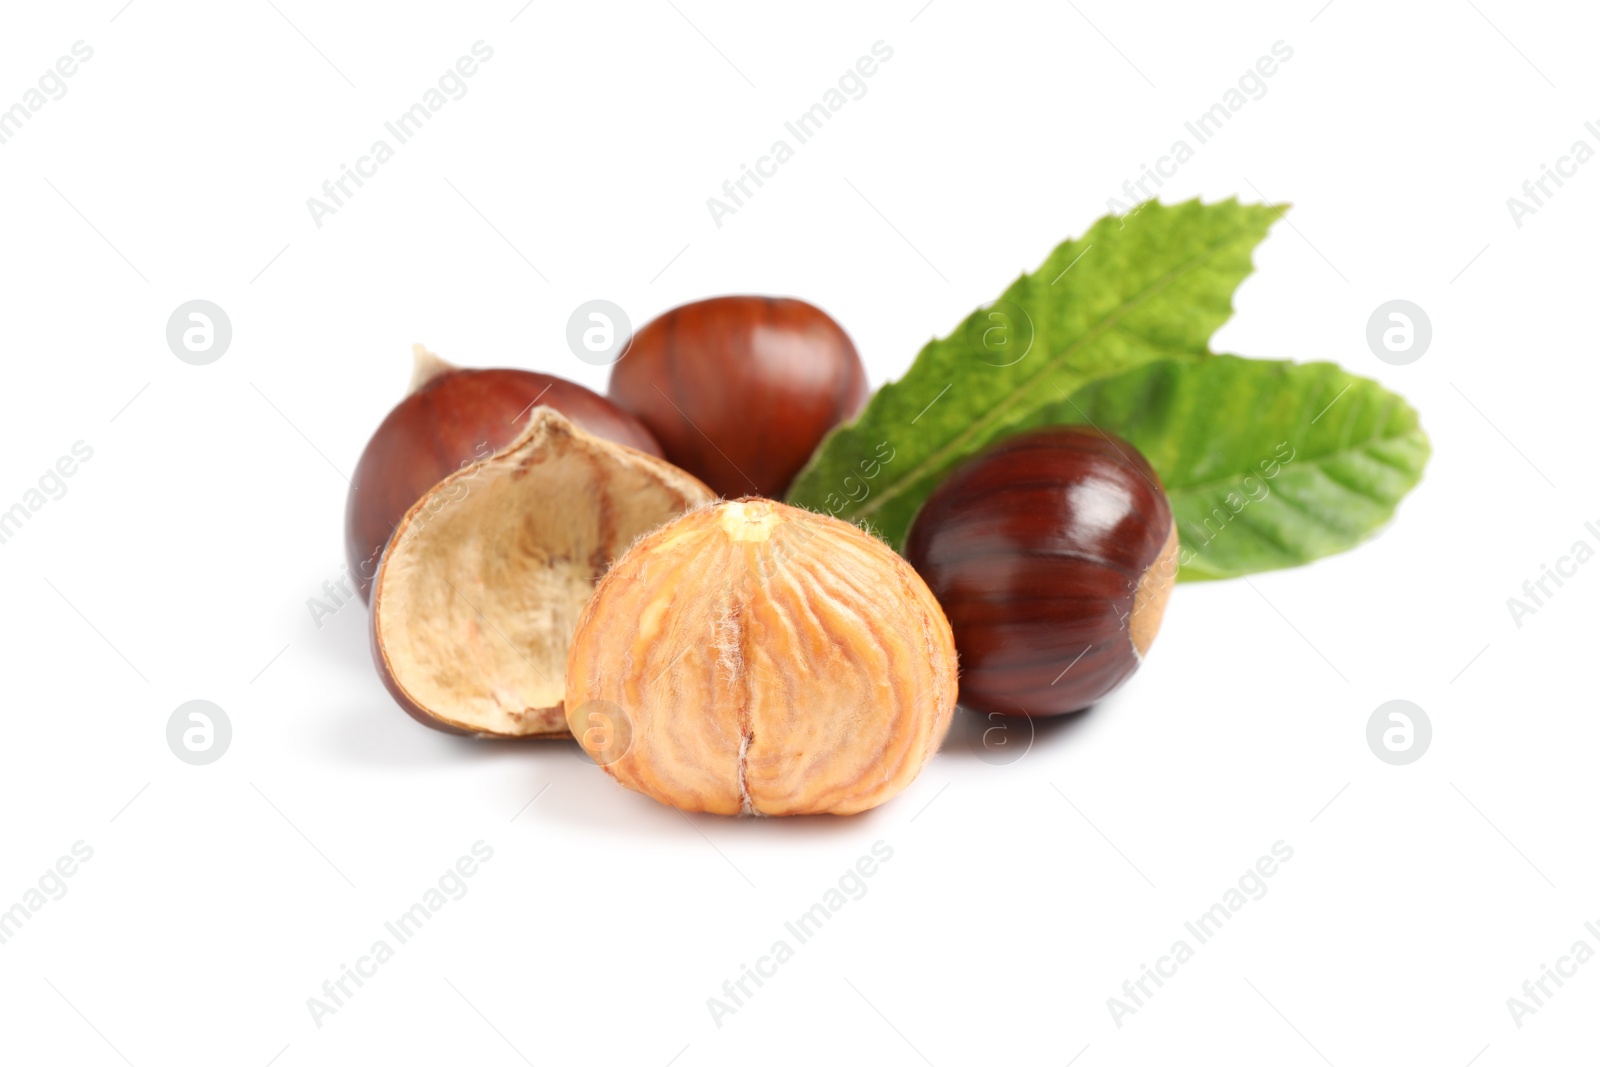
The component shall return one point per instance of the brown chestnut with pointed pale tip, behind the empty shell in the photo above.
(452, 418)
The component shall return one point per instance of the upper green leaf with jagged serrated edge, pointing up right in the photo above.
(1143, 287)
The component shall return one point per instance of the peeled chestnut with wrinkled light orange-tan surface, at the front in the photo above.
(753, 658)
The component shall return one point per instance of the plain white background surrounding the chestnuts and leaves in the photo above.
(1020, 898)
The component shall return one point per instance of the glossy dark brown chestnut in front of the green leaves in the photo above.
(1054, 554)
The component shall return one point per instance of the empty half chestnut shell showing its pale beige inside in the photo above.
(482, 585)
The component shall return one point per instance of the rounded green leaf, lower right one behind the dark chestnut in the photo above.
(1266, 463)
